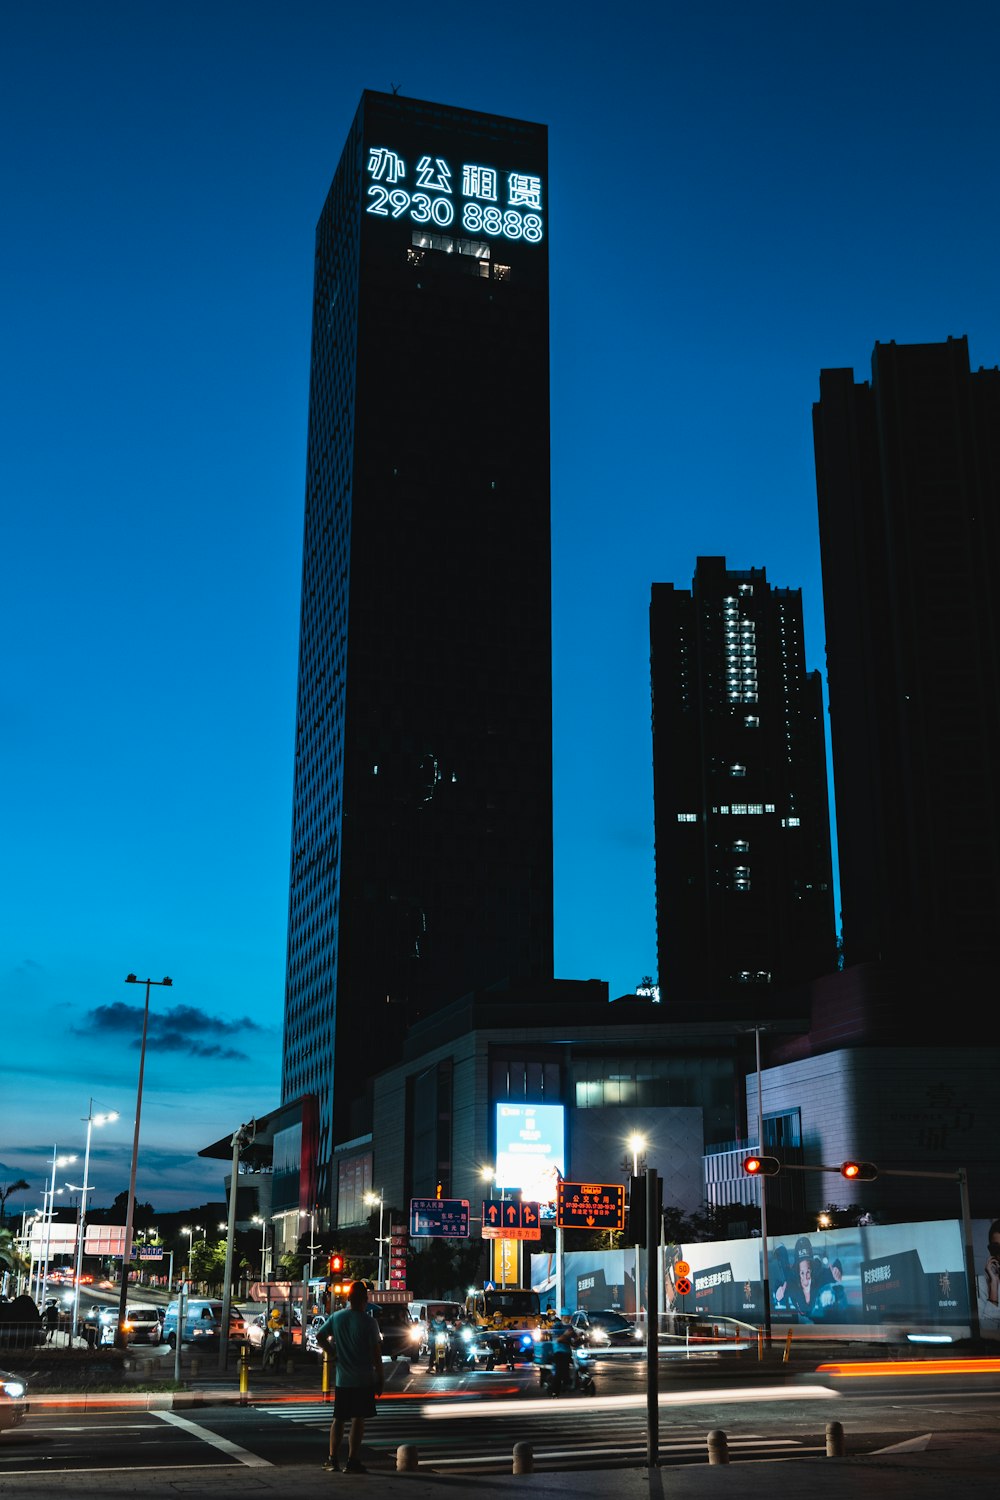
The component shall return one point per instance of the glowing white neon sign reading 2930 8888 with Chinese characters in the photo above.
(501, 205)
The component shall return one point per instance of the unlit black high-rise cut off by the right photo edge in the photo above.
(909, 496)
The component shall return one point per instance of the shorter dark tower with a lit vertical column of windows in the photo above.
(744, 901)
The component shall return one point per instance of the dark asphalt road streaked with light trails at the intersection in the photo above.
(470, 1424)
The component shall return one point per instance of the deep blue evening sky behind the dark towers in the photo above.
(740, 196)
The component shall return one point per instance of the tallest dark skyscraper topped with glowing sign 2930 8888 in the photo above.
(422, 827)
